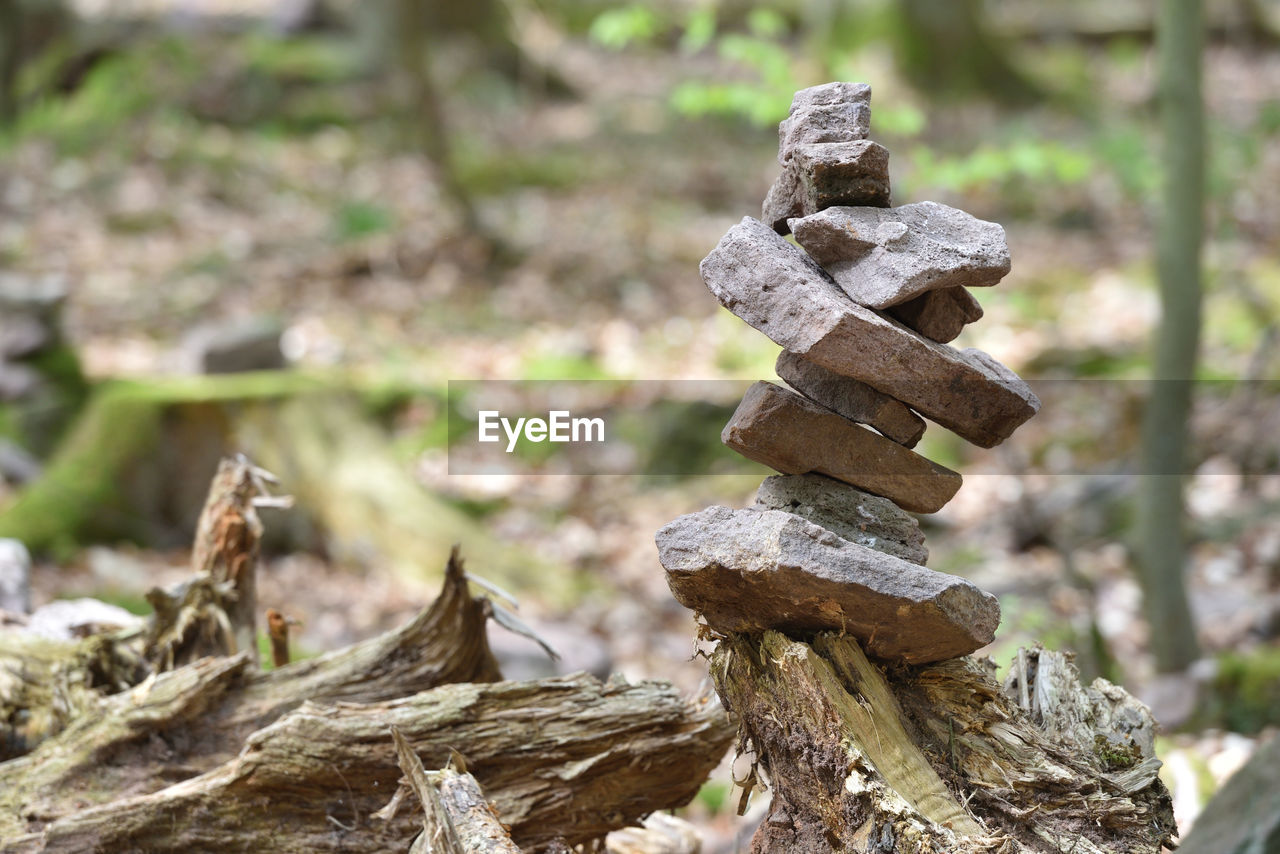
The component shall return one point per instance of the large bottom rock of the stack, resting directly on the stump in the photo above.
(751, 570)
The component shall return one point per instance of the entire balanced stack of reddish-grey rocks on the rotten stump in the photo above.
(865, 309)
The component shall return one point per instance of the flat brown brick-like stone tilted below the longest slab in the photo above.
(790, 435)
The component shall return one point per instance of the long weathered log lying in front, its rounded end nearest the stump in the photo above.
(566, 757)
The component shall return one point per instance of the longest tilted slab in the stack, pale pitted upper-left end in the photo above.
(779, 290)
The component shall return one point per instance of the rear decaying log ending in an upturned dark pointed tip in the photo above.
(444, 645)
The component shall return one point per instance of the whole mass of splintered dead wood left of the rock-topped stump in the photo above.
(216, 755)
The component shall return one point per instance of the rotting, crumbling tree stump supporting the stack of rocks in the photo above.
(940, 759)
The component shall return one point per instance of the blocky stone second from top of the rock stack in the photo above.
(824, 175)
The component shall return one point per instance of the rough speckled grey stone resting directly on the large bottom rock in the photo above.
(857, 517)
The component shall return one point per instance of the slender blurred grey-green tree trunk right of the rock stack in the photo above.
(1162, 550)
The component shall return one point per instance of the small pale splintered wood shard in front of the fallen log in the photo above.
(456, 818)
